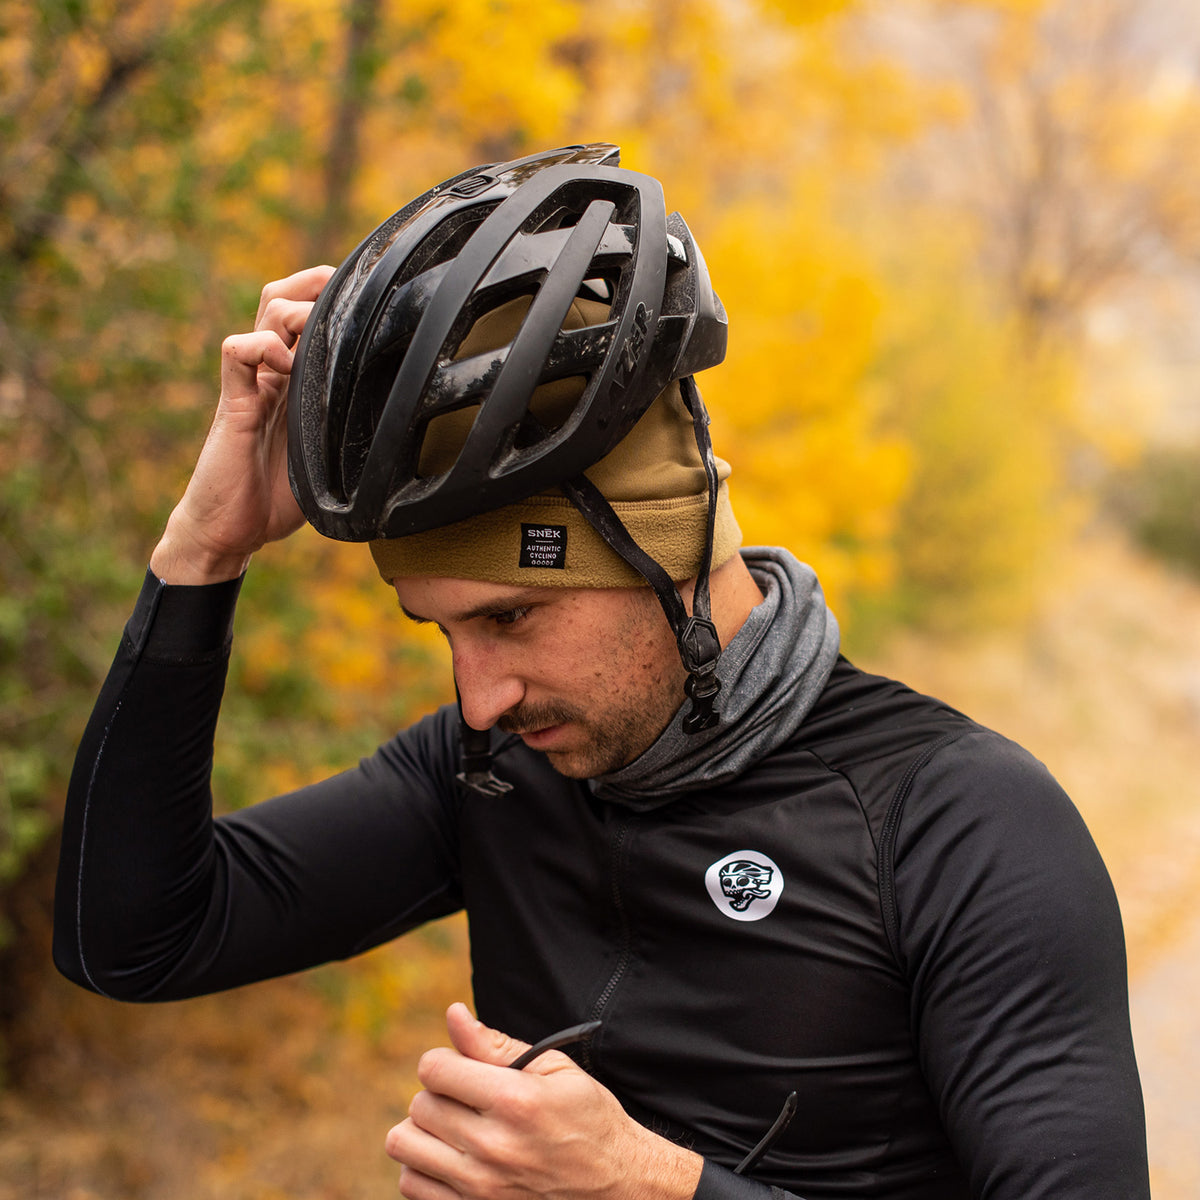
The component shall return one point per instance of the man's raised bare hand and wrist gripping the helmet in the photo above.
(239, 497)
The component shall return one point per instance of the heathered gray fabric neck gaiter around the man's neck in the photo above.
(772, 674)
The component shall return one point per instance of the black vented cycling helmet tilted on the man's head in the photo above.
(379, 358)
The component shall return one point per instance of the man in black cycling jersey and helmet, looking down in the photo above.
(803, 889)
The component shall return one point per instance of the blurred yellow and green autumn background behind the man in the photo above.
(959, 242)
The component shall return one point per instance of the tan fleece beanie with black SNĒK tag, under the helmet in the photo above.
(655, 479)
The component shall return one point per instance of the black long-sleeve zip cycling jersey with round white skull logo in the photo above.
(898, 915)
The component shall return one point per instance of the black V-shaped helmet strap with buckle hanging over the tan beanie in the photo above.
(697, 635)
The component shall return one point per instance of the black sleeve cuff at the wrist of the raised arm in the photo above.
(183, 623)
